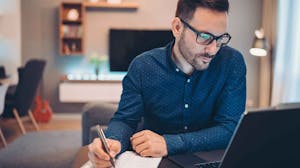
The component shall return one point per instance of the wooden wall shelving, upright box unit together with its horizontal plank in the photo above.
(72, 23)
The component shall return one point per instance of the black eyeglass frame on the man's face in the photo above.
(214, 37)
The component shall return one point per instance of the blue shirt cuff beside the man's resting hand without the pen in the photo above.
(175, 144)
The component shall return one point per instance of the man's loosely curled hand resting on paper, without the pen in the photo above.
(148, 143)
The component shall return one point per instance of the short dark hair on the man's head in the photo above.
(186, 8)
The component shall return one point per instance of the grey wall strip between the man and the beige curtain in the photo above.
(244, 18)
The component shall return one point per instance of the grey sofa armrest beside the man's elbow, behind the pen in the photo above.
(93, 114)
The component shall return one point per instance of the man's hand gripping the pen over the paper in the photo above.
(97, 155)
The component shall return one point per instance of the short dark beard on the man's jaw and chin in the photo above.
(199, 61)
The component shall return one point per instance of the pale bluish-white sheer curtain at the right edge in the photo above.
(286, 81)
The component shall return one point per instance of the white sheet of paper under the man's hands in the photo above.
(130, 159)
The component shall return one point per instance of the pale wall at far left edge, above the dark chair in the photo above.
(10, 36)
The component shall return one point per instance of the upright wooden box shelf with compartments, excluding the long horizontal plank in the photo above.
(71, 28)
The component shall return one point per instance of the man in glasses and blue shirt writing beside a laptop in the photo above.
(190, 93)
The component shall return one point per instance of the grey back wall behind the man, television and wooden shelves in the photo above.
(40, 37)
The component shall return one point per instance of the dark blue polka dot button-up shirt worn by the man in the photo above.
(196, 112)
